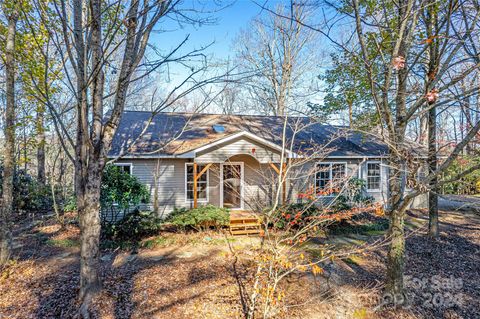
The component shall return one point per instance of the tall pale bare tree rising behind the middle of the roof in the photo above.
(280, 56)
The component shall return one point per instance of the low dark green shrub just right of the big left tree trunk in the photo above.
(133, 227)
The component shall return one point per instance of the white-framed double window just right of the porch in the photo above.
(329, 177)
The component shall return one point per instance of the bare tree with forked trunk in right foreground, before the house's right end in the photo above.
(398, 62)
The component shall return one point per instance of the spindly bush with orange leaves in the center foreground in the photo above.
(282, 253)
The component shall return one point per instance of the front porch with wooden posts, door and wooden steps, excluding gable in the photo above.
(241, 184)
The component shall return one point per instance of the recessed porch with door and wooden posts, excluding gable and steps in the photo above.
(241, 183)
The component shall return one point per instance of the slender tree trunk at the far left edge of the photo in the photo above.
(9, 152)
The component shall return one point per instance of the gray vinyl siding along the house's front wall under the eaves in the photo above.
(260, 181)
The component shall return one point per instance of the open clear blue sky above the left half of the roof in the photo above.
(229, 21)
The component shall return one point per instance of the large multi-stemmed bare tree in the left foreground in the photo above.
(88, 49)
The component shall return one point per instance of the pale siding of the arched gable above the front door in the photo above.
(222, 152)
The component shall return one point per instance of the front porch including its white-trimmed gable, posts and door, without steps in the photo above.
(236, 172)
